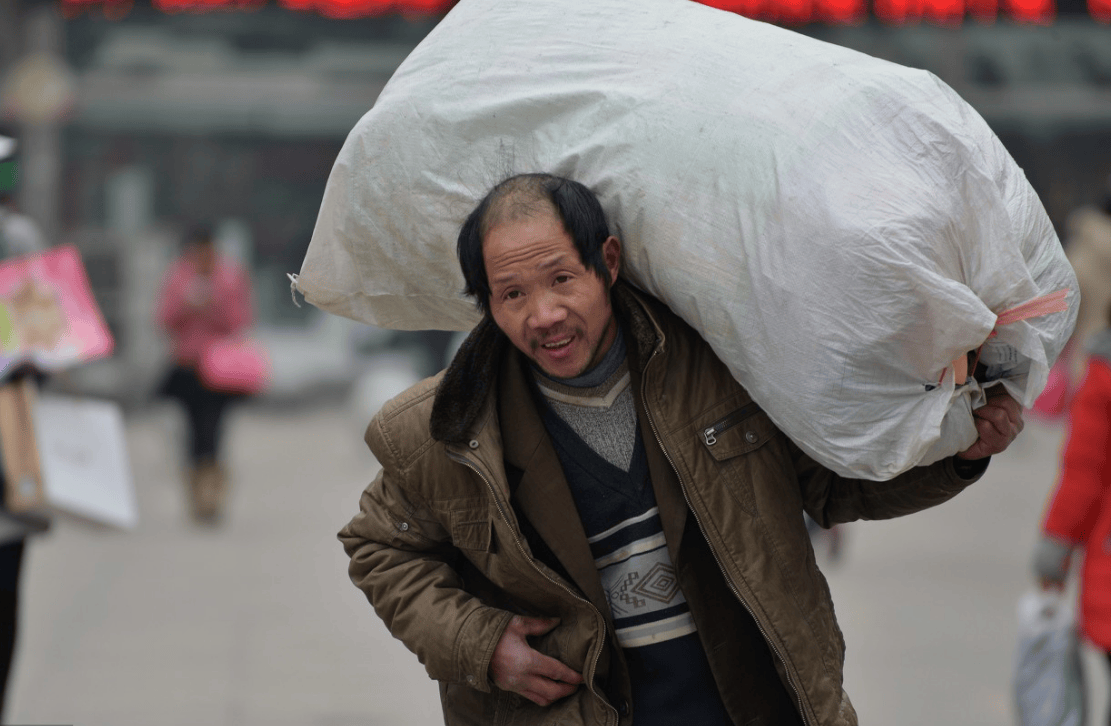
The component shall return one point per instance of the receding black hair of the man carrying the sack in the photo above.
(528, 195)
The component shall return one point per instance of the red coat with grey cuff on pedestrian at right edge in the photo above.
(1078, 516)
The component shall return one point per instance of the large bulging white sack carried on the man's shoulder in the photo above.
(839, 228)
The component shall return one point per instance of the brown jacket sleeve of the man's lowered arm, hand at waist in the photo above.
(403, 560)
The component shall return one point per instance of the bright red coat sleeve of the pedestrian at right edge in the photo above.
(1076, 504)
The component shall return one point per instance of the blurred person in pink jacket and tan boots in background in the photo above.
(206, 299)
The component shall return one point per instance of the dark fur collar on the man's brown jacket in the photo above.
(473, 376)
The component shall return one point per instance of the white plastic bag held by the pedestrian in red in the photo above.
(1048, 681)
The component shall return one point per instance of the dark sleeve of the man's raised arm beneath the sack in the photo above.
(833, 500)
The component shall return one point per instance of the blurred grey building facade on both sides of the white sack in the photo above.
(236, 117)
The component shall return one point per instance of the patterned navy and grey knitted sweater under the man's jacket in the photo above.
(594, 427)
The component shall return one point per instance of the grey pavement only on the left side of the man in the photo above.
(248, 624)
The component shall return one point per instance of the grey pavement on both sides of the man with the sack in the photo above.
(256, 623)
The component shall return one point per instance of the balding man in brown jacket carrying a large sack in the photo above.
(587, 520)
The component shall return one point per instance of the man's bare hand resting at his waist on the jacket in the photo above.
(518, 668)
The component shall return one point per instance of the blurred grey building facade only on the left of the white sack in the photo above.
(233, 118)
